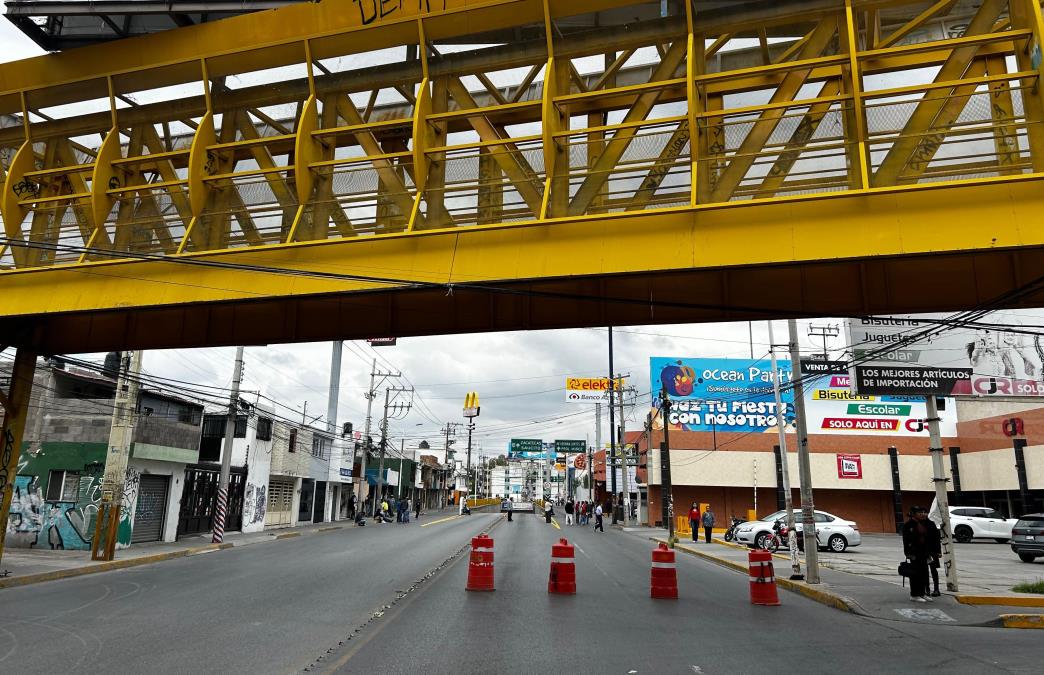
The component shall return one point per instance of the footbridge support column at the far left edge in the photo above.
(16, 405)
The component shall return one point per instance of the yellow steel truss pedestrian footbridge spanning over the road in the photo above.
(346, 170)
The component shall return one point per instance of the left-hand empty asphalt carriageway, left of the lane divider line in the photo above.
(268, 609)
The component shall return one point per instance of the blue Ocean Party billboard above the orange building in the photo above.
(719, 395)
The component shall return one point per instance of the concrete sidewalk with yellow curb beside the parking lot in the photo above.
(857, 593)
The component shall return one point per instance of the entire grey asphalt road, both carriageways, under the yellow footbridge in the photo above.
(391, 599)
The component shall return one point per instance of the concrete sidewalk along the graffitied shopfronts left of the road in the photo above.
(22, 567)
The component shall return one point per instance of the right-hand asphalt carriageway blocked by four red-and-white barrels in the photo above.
(612, 625)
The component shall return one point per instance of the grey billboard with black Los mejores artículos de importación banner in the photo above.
(984, 360)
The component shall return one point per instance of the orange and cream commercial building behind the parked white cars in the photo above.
(871, 478)
